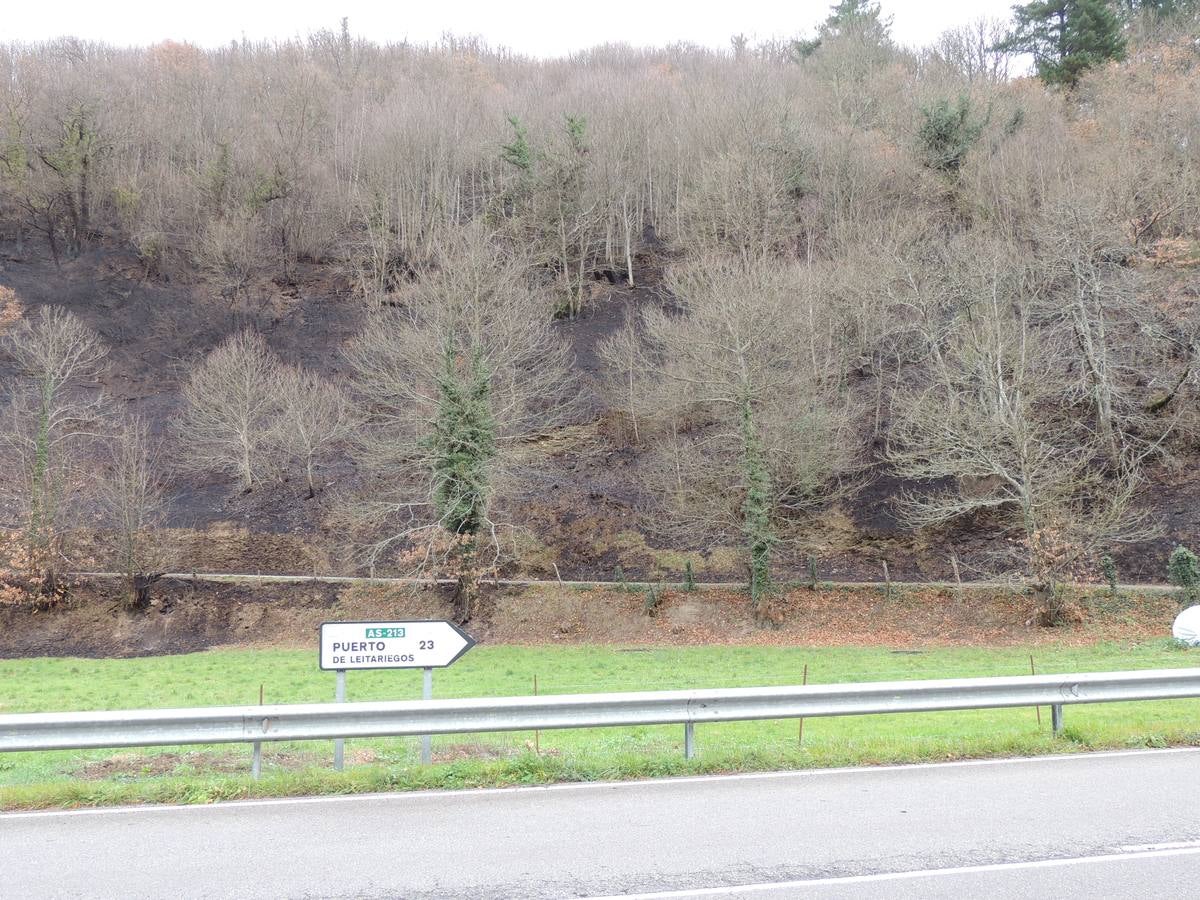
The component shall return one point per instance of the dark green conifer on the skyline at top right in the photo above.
(1066, 38)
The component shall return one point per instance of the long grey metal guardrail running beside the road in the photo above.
(310, 722)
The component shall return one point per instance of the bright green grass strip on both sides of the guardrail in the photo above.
(233, 677)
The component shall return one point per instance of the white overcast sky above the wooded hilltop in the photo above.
(537, 28)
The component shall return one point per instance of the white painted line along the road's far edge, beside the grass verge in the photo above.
(453, 795)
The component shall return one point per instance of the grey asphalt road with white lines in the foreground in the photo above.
(1103, 825)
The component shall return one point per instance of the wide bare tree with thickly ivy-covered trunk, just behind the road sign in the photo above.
(449, 385)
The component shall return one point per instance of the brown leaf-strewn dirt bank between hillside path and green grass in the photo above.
(193, 616)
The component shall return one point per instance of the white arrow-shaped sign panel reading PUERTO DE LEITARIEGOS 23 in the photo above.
(392, 645)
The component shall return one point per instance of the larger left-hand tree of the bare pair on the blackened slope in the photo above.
(231, 400)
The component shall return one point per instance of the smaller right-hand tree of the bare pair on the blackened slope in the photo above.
(315, 417)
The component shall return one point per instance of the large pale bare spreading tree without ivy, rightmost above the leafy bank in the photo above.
(992, 425)
